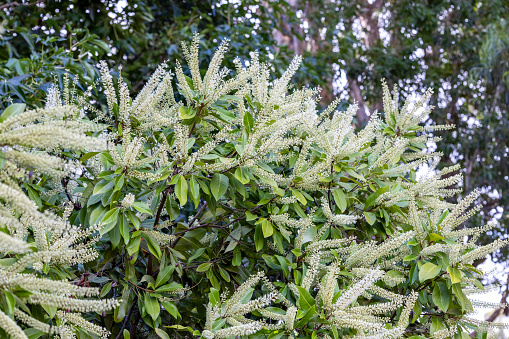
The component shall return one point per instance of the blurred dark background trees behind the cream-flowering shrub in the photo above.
(460, 48)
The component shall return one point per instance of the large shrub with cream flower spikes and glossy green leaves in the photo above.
(228, 206)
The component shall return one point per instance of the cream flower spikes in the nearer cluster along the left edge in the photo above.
(37, 249)
